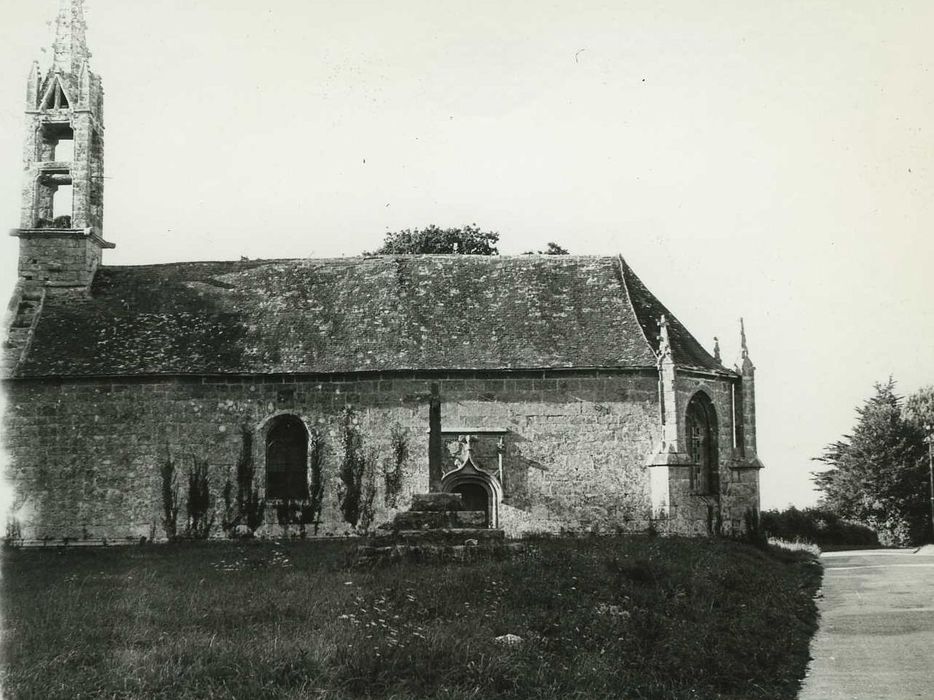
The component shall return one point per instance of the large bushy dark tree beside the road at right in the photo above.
(878, 475)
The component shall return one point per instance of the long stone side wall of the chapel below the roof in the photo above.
(85, 455)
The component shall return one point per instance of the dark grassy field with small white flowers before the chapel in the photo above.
(626, 617)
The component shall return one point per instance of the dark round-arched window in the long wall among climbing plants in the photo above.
(287, 459)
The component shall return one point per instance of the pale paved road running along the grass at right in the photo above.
(876, 636)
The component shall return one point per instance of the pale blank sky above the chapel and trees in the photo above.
(771, 160)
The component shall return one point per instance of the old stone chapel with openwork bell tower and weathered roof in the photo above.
(554, 393)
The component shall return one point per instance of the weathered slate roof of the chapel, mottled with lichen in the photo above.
(356, 314)
